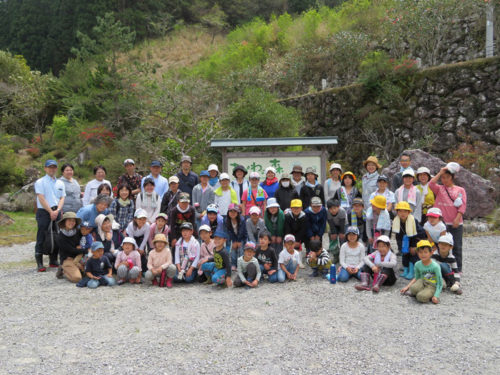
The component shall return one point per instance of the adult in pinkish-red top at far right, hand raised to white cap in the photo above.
(452, 201)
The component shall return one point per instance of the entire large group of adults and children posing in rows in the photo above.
(209, 226)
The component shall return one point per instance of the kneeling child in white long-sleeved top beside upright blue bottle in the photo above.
(351, 256)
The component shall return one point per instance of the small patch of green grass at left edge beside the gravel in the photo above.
(22, 231)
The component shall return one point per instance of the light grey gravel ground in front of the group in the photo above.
(306, 327)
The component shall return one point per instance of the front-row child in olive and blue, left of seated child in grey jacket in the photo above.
(218, 268)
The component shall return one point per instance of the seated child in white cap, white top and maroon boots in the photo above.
(381, 265)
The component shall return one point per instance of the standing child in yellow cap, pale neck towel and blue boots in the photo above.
(407, 232)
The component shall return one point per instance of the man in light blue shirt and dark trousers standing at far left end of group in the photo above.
(50, 196)
